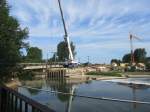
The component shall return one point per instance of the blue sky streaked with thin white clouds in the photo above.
(98, 28)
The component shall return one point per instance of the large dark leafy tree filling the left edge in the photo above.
(12, 38)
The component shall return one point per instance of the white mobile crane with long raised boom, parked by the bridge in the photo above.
(71, 61)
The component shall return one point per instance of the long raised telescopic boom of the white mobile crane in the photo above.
(71, 58)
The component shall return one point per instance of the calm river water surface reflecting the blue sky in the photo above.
(66, 103)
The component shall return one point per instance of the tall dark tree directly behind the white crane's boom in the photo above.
(63, 52)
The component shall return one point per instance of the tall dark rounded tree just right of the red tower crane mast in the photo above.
(140, 55)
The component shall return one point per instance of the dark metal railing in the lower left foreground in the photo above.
(12, 101)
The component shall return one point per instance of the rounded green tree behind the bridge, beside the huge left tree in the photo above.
(34, 54)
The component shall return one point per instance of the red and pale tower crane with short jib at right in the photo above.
(131, 37)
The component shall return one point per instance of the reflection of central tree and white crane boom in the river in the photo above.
(64, 85)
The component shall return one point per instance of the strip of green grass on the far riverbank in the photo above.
(117, 74)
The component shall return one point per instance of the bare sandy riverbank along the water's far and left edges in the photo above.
(80, 77)
